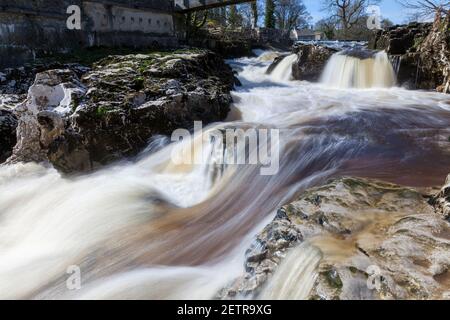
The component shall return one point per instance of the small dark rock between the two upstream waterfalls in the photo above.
(311, 62)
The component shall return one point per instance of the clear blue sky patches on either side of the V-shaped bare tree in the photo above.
(389, 9)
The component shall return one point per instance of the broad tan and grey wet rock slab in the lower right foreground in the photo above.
(378, 241)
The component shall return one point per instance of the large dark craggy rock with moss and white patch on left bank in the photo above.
(112, 111)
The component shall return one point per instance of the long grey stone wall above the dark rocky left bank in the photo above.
(33, 28)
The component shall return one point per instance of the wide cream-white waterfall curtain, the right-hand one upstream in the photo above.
(359, 69)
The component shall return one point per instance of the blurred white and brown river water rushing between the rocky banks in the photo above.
(154, 229)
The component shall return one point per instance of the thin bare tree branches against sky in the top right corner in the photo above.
(426, 9)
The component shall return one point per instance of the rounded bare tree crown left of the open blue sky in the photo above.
(291, 14)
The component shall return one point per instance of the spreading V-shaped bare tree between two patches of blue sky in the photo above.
(348, 12)
